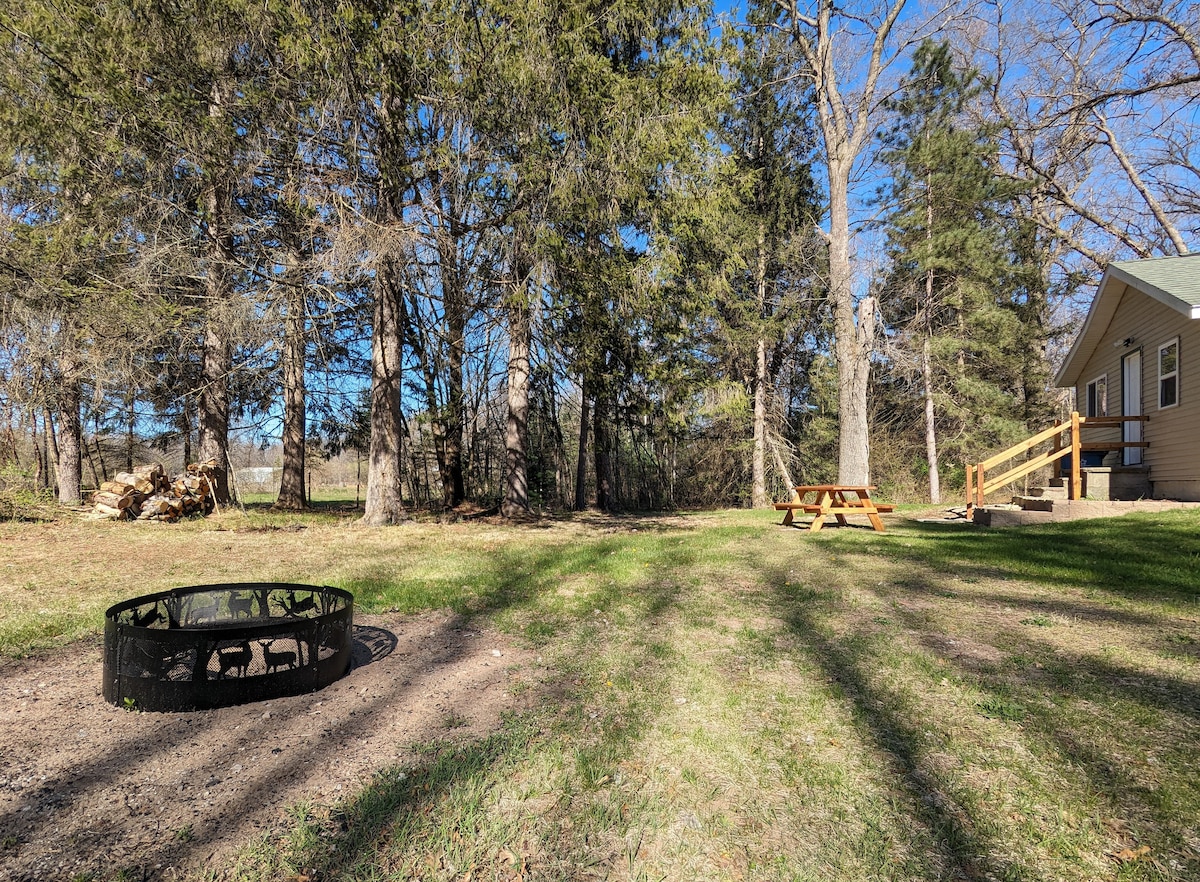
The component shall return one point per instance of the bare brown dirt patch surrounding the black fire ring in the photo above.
(87, 788)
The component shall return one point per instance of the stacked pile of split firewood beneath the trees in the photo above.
(148, 495)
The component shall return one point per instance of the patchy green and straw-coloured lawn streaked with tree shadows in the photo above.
(724, 699)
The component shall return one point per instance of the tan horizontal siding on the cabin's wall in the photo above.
(1174, 434)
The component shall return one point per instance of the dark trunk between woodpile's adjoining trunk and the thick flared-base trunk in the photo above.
(292, 482)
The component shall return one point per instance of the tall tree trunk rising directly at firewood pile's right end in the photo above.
(218, 357)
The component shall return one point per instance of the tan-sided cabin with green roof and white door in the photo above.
(1138, 355)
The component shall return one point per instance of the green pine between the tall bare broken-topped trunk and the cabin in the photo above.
(950, 290)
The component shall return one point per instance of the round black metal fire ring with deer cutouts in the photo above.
(219, 645)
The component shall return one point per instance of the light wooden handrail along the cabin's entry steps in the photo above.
(980, 485)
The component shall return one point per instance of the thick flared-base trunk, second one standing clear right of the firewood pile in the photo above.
(385, 499)
